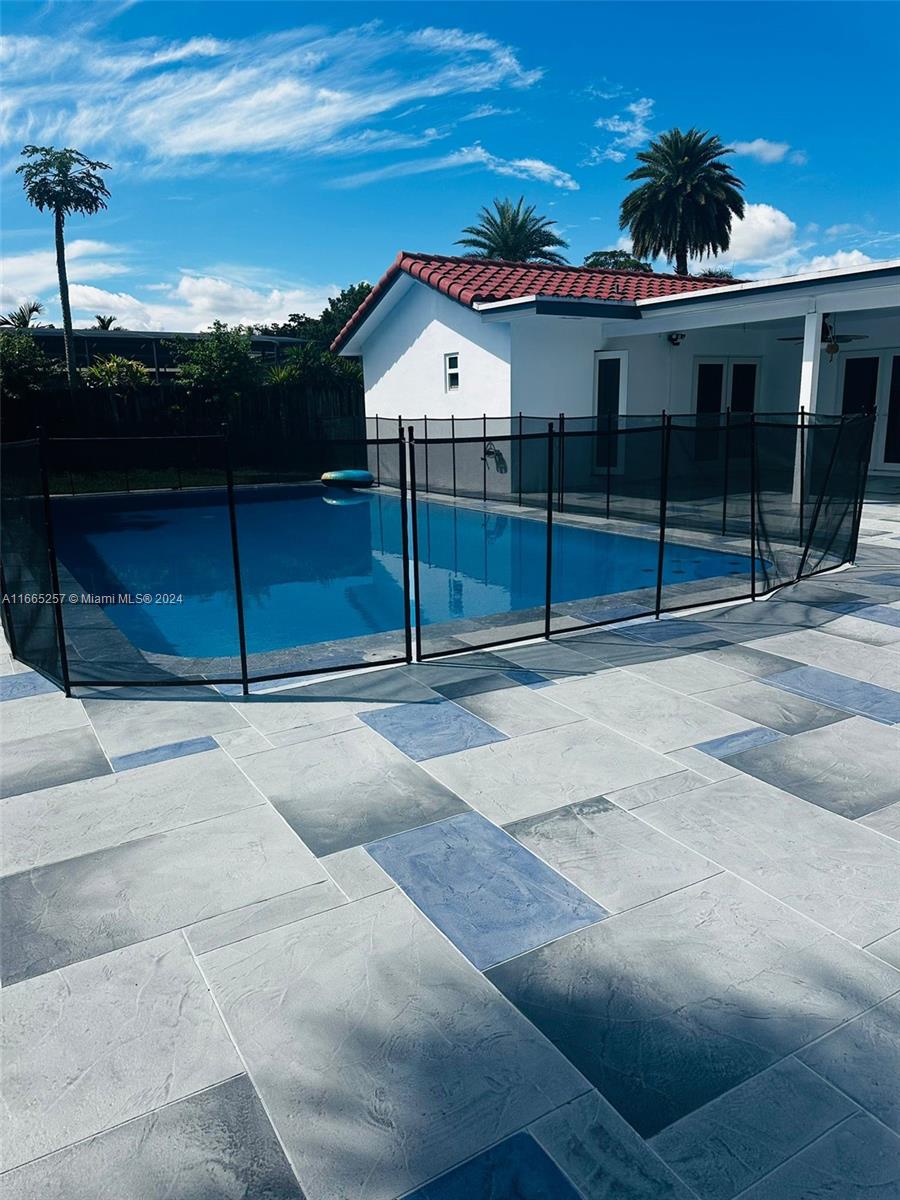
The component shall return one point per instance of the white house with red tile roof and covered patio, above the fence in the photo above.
(463, 337)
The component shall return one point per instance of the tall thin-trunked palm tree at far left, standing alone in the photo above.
(64, 182)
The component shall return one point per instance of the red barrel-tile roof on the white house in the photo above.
(471, 281)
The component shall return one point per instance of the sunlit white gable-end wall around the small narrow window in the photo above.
(404, 361)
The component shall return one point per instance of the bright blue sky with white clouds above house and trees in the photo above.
(268, 154)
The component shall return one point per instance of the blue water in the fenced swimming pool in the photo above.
(320, 568)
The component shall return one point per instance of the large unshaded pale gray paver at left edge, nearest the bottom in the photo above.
(105, 1041)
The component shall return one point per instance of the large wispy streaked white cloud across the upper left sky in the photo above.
(301, 92)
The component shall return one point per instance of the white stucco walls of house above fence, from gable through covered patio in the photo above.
(545, 365)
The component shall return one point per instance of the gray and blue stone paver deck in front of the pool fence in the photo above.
(615, 917)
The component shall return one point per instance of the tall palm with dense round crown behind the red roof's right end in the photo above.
(687, 203)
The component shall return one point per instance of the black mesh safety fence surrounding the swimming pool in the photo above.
(167, 561)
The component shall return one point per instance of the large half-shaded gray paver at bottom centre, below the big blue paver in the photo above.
(365, 1019)
